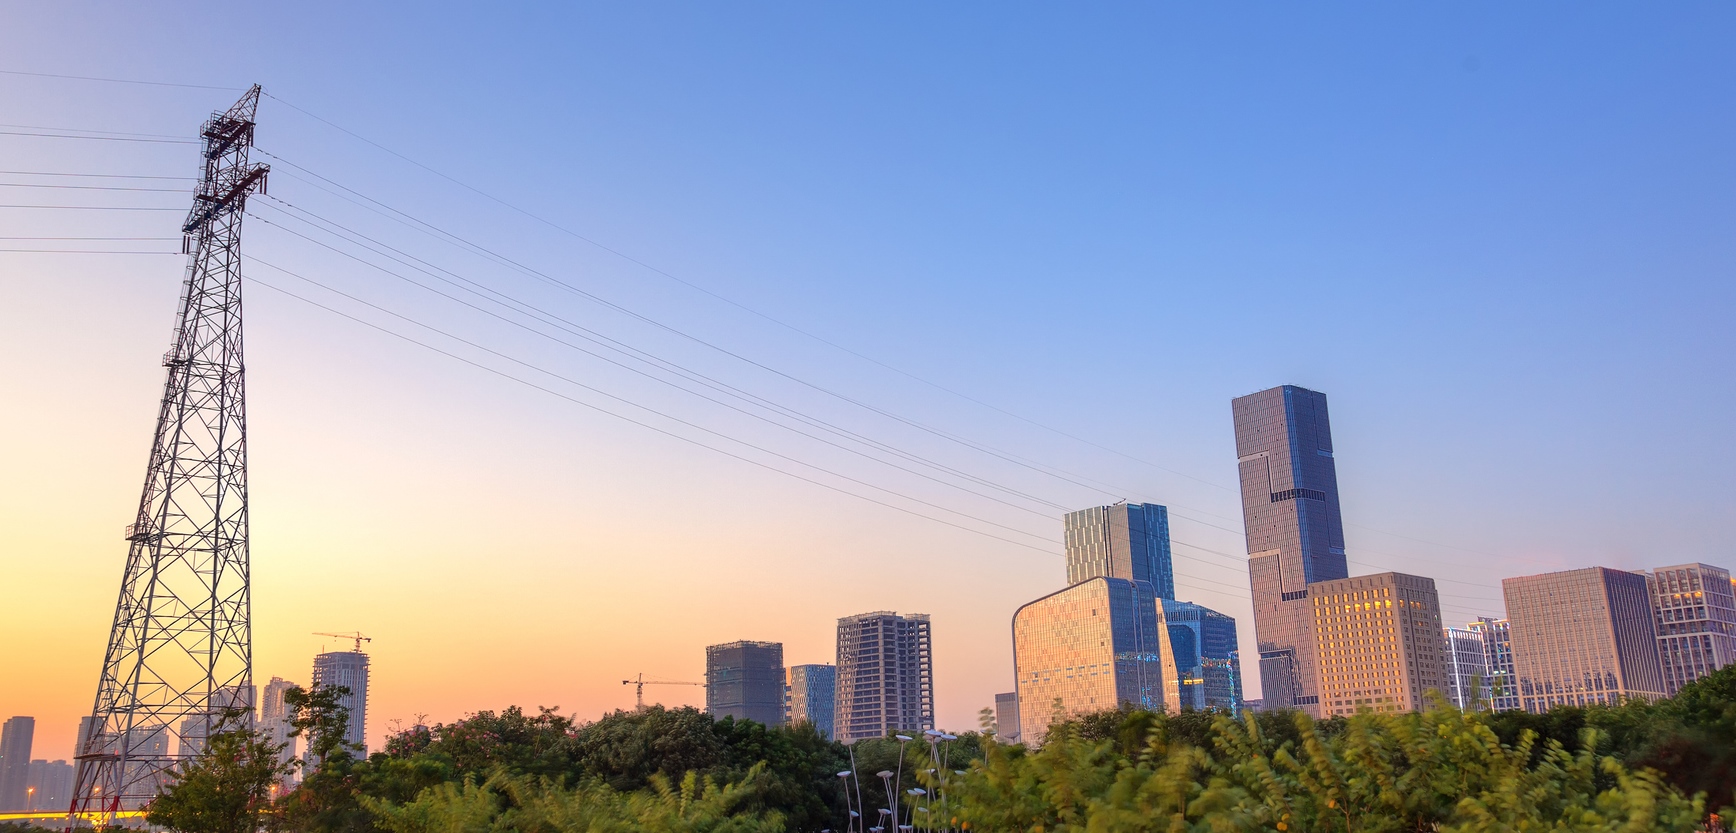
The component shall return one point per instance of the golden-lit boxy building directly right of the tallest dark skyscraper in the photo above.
(1379, 643)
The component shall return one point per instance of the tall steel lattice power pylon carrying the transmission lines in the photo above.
(183, 646)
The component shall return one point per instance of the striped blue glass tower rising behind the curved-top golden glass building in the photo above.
(1126, 541)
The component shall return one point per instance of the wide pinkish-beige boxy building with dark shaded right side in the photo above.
(1581, 638)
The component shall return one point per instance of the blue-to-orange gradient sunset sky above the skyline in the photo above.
(1041, 246)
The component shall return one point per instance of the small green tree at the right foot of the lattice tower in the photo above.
(227, 787)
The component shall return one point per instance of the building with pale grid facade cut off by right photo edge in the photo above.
(1695, 612)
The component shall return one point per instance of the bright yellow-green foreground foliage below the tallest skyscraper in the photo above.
(1374, 773)
